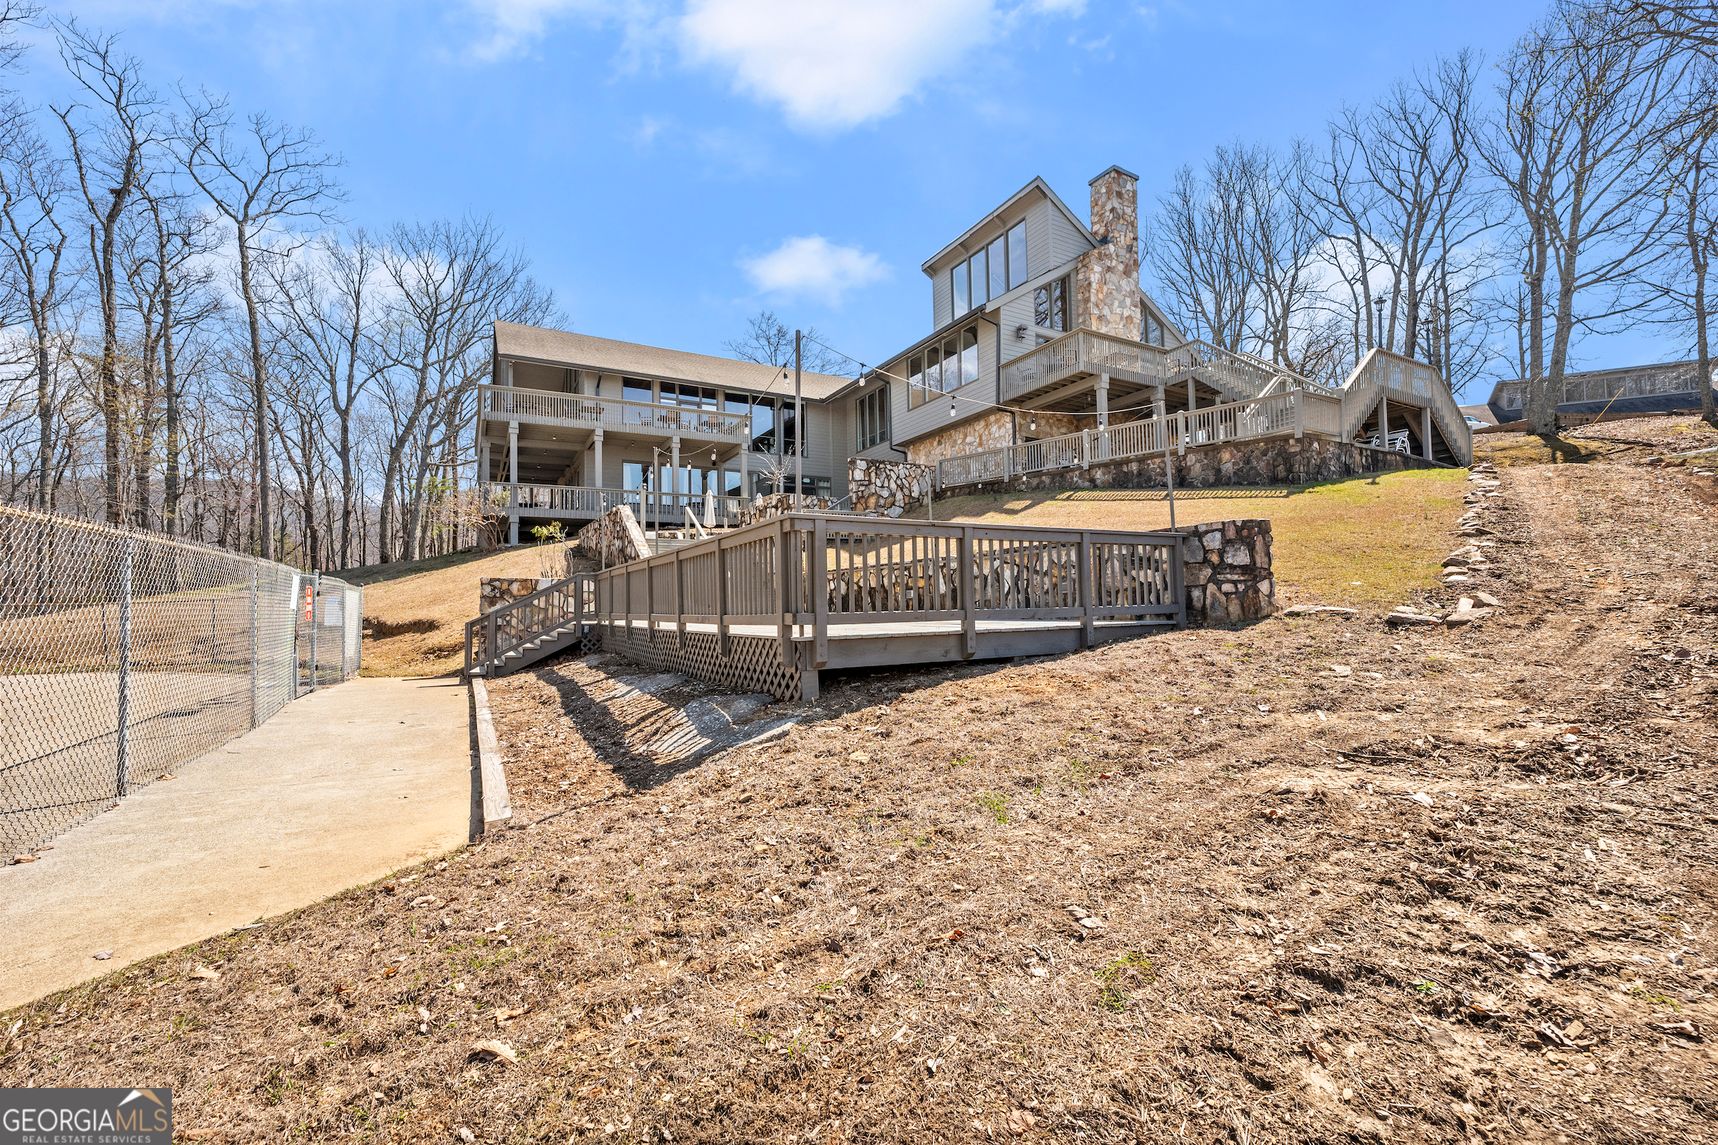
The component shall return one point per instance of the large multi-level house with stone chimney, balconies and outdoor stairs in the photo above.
(1040, 340)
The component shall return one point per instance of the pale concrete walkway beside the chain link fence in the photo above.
(338, 790)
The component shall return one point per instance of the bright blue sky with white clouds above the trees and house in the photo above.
(674, 168)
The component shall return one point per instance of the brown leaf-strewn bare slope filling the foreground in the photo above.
(1310, 881)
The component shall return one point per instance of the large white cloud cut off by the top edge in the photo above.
(832, 64)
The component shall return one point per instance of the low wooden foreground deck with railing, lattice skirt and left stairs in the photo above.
(772, 606)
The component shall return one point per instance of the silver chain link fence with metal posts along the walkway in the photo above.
(125, 654)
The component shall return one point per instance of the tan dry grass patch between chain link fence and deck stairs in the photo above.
(415, 615)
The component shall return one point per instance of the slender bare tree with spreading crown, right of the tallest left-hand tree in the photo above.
(264, 178)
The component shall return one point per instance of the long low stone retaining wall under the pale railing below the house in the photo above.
(1272, 462)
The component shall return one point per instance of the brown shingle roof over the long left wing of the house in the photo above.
(563, 348)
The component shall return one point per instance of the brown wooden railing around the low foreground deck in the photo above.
(798, 575)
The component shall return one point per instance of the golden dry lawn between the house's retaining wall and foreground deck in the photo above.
(1358, 542)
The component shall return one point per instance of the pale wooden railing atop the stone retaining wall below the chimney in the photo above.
(1288, 413)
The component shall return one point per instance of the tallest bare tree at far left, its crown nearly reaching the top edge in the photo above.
(107, 147)
